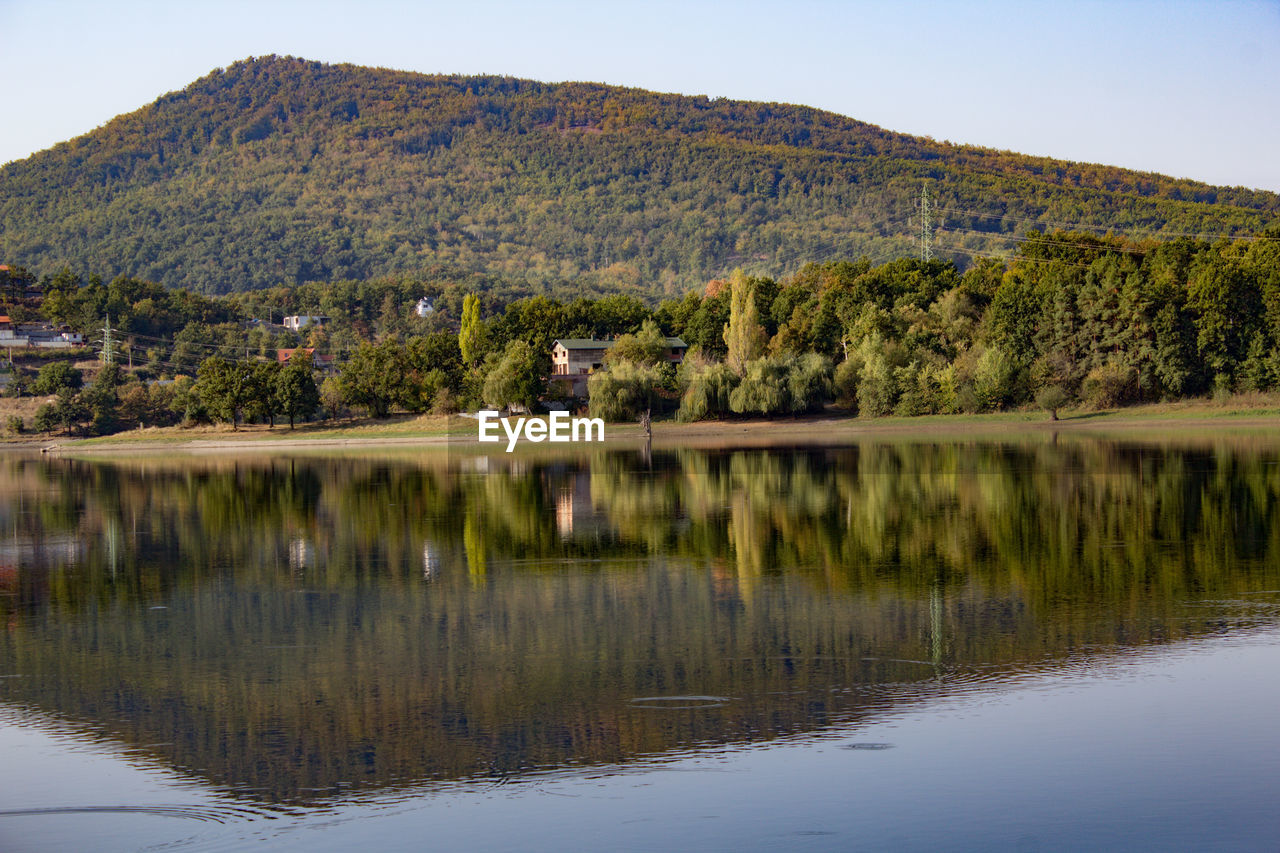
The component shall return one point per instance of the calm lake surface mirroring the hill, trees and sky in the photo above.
(1035, 644)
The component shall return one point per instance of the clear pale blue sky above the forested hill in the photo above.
(1186, 89)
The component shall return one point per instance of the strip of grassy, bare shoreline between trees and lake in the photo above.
(441, 432)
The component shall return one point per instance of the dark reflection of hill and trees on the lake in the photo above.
(289, 628)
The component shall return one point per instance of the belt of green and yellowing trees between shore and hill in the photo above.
(1072, 320)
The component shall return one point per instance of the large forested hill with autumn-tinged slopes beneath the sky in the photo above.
(284, 171)
